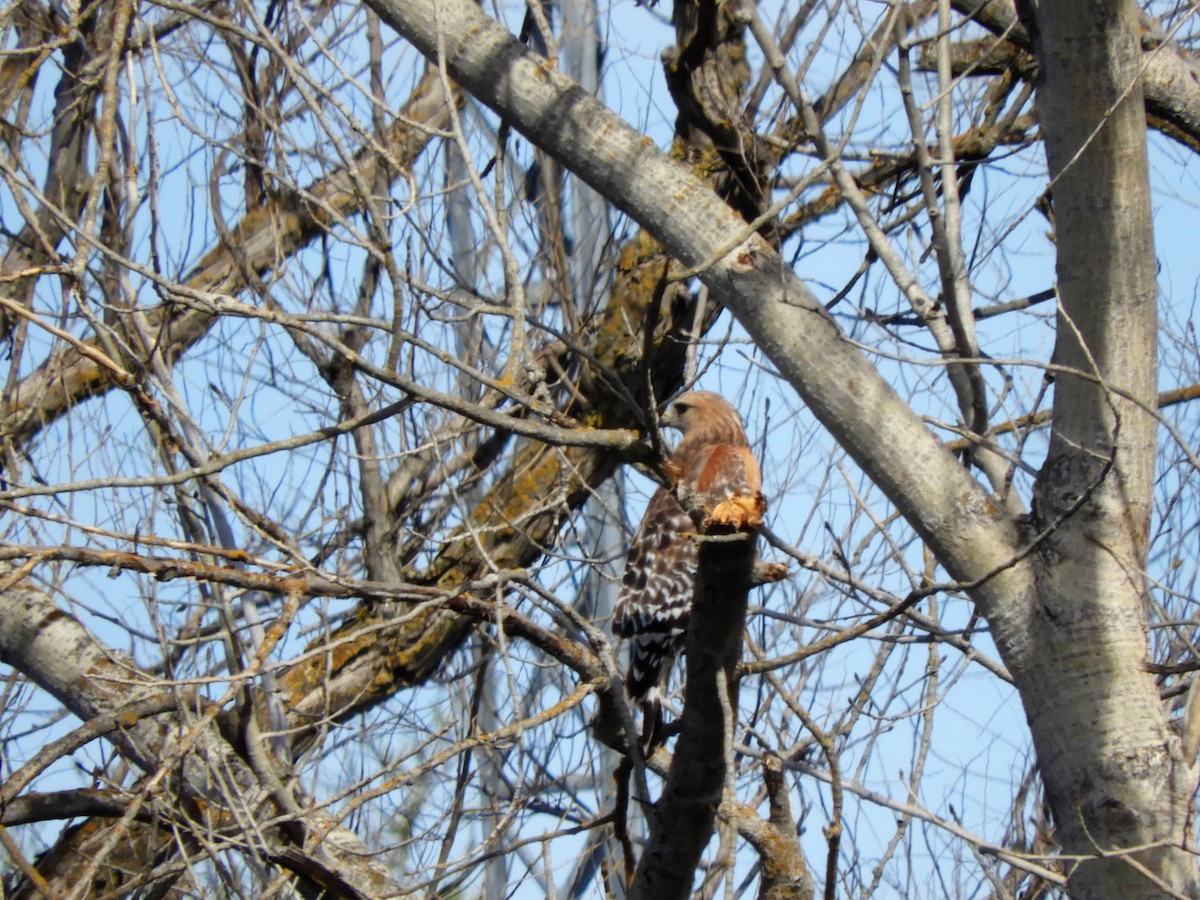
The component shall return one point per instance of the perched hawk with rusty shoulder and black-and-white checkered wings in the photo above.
(715, 469)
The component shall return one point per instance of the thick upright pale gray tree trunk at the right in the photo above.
(1114, 771)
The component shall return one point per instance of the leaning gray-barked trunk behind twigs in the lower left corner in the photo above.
(182, 749)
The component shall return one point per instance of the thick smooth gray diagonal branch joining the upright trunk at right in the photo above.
(838, 383)
